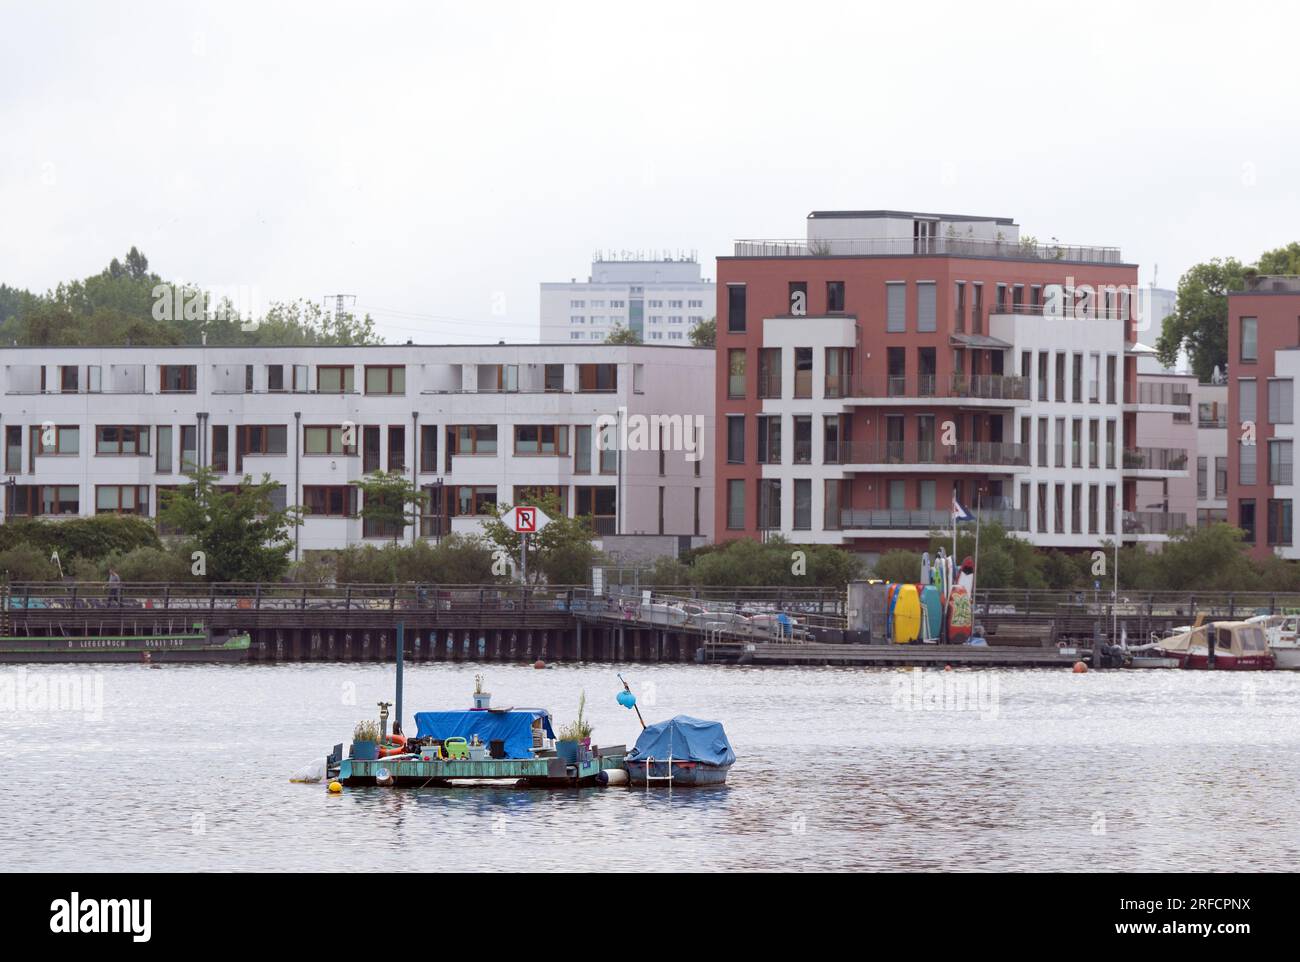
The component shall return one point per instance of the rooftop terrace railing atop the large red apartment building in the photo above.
(928, 248)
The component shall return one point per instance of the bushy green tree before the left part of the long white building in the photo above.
(240, 534)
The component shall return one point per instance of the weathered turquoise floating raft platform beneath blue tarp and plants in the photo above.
(548, 770)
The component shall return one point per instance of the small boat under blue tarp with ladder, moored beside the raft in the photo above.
(681, 752)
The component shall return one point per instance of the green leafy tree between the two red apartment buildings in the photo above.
(1199, 323)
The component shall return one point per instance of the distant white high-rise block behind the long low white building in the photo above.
(660, 300)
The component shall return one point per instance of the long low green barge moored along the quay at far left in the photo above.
(196, 645)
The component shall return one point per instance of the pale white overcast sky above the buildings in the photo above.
(440, 161)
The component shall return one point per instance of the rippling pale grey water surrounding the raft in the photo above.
(188, 769)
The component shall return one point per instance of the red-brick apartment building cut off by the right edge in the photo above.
(1264, 362)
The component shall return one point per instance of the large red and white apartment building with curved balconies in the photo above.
(894, 361)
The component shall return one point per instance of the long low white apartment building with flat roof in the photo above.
(92, 431)
